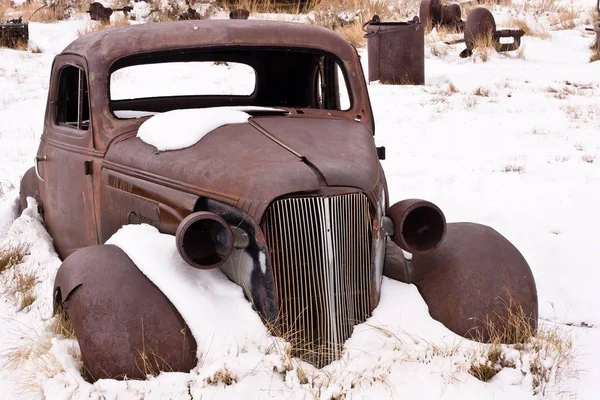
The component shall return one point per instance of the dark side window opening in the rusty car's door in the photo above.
(73, 104)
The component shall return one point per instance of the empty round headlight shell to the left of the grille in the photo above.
(204, 240)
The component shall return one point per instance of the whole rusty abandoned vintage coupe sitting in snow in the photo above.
(291, 204)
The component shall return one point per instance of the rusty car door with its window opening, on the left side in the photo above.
(65, 159)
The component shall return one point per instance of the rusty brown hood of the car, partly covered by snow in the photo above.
(248, 165)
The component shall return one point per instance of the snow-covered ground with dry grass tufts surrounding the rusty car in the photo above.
(511, 140)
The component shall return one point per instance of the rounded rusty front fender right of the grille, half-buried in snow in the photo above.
(472, 279)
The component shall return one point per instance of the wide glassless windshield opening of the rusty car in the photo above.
(141, 86)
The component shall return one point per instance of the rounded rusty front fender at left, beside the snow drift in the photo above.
(121, 319)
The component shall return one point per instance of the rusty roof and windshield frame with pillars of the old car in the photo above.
(101, 49)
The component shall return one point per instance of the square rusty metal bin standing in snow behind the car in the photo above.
(396, 51)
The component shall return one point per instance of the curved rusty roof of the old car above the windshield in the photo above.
(102, 48)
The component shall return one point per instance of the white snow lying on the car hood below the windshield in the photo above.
(178, 129)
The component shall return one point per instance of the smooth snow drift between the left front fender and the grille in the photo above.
(199, 295)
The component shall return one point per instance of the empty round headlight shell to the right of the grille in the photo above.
(419, 225)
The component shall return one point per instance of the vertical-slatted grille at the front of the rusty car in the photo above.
(320, 250)
